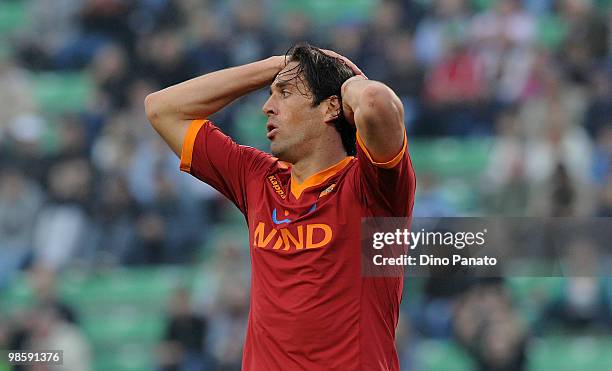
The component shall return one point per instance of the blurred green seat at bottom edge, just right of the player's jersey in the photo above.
(437, 355)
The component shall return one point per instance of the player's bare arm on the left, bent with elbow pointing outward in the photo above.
(170, 110)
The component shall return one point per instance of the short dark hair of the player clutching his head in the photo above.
(324, 76)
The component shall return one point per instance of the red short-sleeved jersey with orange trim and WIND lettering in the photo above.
(311, 308)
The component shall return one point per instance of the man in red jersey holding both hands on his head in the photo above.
(311, 307)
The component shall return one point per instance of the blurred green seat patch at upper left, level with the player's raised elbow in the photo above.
(62, 92)
